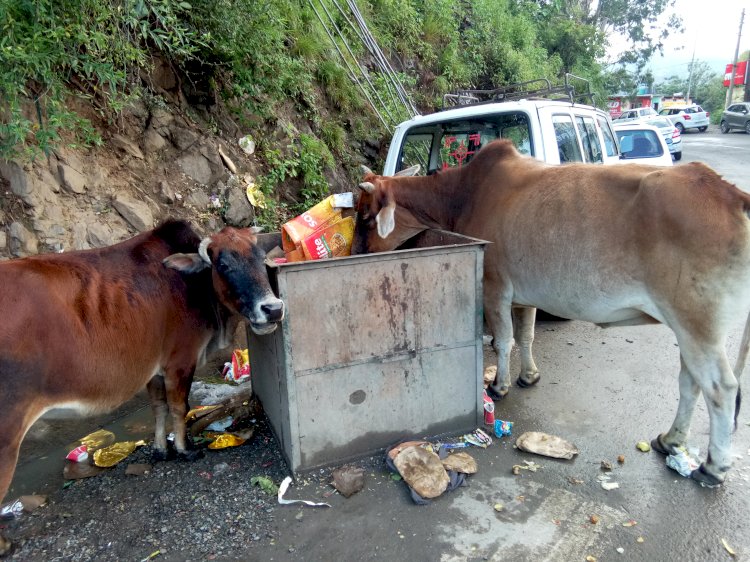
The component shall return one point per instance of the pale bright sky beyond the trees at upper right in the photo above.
(710, 29)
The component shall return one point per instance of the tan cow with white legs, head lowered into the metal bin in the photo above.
(614, 245)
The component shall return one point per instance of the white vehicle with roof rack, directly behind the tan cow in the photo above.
(550, 130)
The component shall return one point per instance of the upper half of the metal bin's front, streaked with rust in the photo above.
(380, 308)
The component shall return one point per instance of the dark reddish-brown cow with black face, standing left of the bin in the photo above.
(87, 330)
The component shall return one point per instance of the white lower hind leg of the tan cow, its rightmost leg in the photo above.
(711, 371)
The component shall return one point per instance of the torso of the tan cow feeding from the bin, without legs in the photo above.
(569, 236)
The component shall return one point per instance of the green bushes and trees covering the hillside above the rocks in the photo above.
(274, 66)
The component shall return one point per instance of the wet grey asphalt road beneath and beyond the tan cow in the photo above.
(604, 390)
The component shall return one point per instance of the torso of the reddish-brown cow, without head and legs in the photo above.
(83, 313)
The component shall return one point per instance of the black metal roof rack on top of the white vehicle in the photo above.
(539, 88)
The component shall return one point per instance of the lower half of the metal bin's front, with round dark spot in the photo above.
(357, 410)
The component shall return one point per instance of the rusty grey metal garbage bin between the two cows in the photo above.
(374, 348)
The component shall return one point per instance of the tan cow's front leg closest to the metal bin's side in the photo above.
(499, 318)
